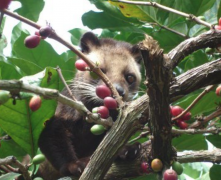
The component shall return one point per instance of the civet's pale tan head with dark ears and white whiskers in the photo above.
(120, 61)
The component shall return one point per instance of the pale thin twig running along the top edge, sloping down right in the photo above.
(156, 5)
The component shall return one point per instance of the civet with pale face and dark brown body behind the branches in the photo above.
(66, 139)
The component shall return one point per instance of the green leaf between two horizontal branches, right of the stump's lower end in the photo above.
(190, 142)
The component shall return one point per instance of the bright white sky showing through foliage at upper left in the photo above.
(62, 15)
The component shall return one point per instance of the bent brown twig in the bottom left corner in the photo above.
(12, 160)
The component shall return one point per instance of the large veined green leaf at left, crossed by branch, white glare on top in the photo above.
(23, 125)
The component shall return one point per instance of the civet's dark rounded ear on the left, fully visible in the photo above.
(89, 40)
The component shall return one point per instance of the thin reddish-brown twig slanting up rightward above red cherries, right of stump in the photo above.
(209, 88)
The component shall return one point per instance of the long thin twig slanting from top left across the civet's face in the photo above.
(90, 63)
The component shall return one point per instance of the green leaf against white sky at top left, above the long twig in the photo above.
(30, 9)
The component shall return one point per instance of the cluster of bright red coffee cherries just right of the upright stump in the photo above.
(181, 123)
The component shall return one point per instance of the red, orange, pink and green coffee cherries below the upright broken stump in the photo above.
(157, 166)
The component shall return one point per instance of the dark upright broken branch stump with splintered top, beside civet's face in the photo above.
(158, 80)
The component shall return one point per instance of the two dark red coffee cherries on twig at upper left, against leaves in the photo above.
(33, 41)
